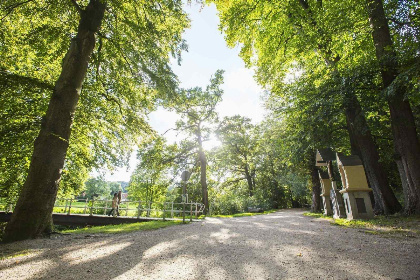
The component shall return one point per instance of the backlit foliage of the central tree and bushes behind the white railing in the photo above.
(161, 163)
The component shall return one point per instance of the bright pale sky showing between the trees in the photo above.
(207, 52)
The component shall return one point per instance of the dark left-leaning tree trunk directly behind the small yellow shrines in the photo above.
(385, 200)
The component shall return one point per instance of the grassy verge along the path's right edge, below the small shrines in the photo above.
(391, 226)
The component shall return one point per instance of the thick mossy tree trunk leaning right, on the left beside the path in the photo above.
(33, 213)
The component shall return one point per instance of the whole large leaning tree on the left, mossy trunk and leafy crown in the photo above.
(134, 42)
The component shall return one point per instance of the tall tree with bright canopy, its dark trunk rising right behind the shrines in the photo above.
(276, 39)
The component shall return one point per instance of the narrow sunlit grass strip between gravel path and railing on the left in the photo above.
(122, 228)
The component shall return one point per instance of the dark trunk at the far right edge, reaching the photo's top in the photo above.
(406, 141)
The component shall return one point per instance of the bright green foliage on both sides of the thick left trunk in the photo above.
(127, 75)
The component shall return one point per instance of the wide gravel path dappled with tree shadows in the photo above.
(282, 245)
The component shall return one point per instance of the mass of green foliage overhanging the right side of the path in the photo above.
(310, 56)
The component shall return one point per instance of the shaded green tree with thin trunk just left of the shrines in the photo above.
(299, 127)
